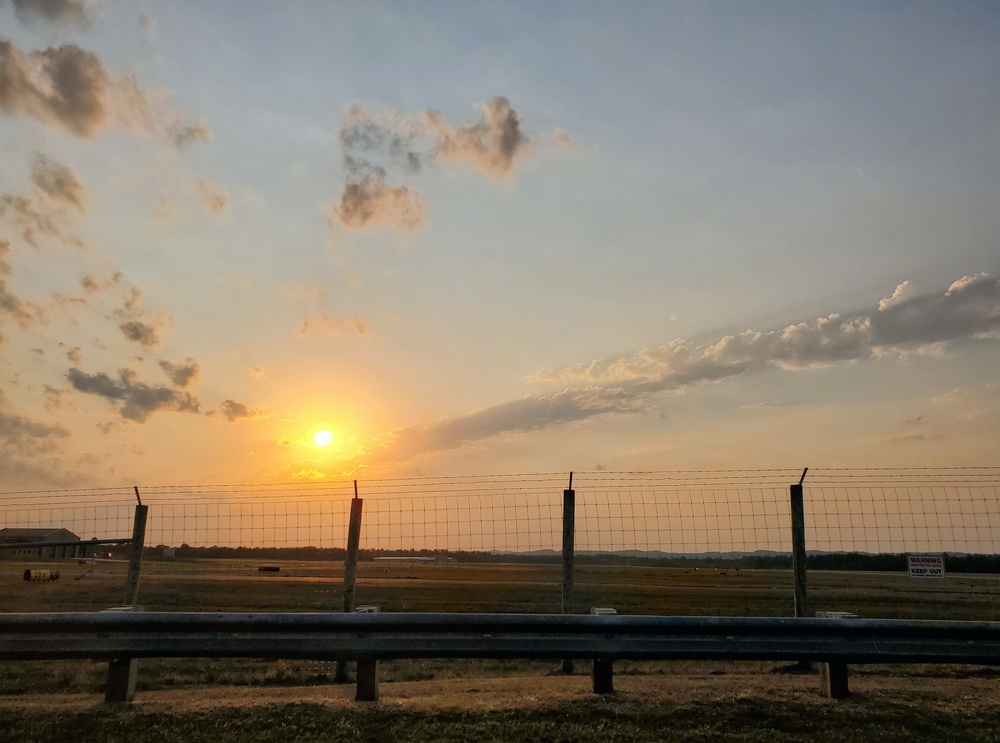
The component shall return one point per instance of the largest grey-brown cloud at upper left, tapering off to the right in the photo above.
(69, 87)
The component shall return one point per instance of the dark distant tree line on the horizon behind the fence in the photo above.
(882, 562)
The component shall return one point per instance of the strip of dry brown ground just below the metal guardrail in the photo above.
(536, 692)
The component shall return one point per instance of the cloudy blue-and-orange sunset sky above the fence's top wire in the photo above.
(472, 238)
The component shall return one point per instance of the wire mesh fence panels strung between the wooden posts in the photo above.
(511, 527)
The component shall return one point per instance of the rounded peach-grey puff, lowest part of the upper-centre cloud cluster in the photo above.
(369, 201)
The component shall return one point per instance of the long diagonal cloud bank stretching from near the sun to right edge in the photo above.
(909, 321)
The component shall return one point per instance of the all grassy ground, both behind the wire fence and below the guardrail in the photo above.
(495, 700)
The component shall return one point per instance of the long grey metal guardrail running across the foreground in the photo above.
(368, 638)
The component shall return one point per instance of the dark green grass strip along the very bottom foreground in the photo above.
(597, 720)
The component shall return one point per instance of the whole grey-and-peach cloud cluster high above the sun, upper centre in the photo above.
(375, 145)
